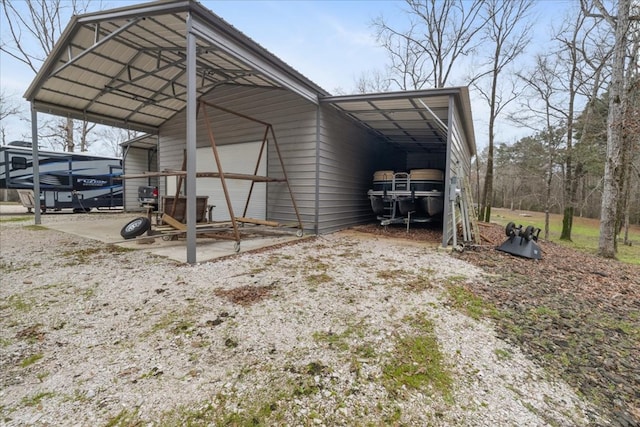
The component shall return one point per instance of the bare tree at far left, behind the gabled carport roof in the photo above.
(39, 21)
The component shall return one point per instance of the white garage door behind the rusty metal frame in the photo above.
(234, 158)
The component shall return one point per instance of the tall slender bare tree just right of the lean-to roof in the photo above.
(508, 33)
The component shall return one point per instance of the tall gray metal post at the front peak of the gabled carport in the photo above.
(191, 142)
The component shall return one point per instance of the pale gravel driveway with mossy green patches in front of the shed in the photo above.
(343, 329)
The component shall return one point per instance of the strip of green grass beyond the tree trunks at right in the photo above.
(585, 232)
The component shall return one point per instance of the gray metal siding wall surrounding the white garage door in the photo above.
(294, 123)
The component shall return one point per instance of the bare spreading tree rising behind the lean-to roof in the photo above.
(439, 34)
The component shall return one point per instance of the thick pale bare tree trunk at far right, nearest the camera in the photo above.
(613, 172)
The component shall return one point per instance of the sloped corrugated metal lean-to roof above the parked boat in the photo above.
(411, 120)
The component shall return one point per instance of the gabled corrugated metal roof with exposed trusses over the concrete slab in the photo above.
(127, 67)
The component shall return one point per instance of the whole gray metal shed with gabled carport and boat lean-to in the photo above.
(146, 67)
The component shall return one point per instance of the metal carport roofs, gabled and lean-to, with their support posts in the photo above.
(137, 67)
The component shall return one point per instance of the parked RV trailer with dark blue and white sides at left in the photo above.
(77, 181)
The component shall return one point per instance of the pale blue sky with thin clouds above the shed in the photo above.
(330, 42)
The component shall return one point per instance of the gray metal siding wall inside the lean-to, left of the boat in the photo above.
(348, 158)
